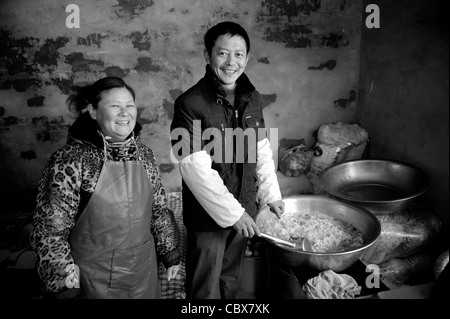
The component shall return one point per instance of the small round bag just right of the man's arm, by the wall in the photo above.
(294, 157)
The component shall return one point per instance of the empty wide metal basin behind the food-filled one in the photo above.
(381, 186)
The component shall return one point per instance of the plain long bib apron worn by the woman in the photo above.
(111, 241)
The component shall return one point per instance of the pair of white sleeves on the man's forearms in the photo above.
(210, 191)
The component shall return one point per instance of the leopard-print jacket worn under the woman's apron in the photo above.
(67, 183)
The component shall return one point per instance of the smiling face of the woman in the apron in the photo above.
(116, 113)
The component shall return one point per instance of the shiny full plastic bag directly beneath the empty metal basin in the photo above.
(403, 234)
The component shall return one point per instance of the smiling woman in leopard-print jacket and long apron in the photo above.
(101, 216)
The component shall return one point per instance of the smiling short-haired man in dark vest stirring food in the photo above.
(223, 186)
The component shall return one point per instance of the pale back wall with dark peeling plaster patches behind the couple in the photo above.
(305, 62)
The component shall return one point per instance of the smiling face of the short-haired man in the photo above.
(228, 59)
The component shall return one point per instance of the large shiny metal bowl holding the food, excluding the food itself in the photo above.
(360, 218)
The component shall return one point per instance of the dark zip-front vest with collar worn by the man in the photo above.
(237, 164)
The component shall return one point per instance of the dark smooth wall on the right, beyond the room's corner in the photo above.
(404, 85)
